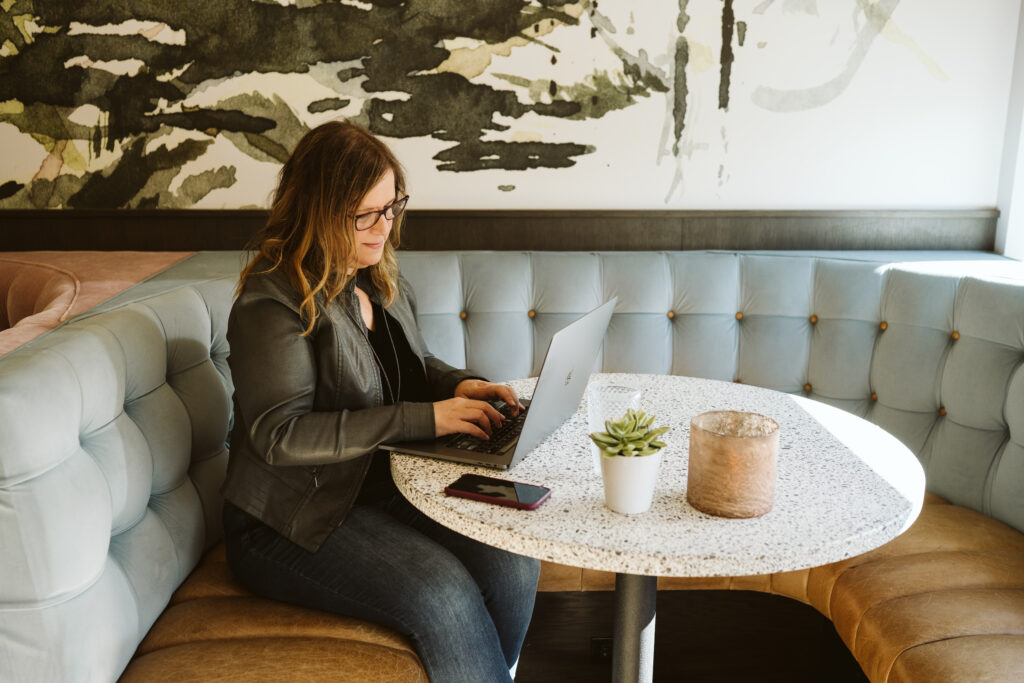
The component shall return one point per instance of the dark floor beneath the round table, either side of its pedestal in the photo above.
(728, 636)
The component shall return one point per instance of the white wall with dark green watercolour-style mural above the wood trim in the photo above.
(821, 105)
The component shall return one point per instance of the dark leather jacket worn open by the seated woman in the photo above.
(309, 411)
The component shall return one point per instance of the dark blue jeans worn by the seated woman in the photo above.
(465, 606)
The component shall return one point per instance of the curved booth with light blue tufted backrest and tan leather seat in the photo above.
(113, 429)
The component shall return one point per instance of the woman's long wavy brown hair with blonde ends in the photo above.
(310, 234)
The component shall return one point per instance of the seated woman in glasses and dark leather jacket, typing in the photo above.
(328, 364)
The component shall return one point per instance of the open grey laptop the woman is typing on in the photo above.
(565, 374)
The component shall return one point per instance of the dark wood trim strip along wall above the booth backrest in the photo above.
(552, 231)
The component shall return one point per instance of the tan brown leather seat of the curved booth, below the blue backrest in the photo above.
(931, 606)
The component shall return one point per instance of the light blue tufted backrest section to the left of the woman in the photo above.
(112, 454)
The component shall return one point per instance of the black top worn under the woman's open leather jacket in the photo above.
(404, 378)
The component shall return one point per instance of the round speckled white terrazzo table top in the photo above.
(844, 487)
